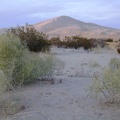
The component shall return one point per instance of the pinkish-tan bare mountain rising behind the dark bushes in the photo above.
(67, 26)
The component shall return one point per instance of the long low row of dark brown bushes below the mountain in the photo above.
(77, 42)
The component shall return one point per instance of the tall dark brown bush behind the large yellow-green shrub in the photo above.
(36, 41)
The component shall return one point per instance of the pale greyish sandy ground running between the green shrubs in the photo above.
(67, 100)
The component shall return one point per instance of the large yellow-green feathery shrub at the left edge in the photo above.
(18, 64)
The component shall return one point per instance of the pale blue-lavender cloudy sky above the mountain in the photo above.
(20, 12)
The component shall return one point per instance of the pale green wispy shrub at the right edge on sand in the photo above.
(107, 86)
